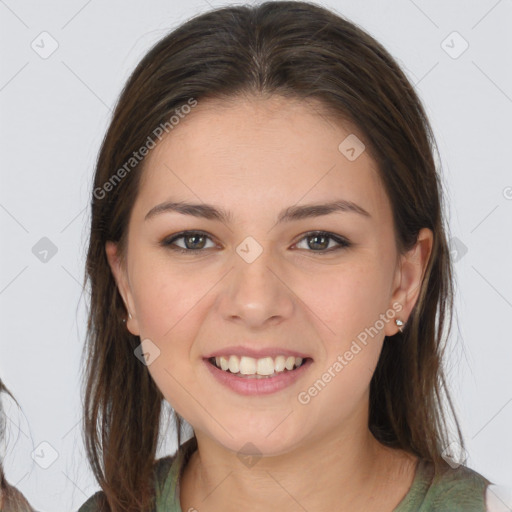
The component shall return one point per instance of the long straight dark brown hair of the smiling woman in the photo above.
(296, 50)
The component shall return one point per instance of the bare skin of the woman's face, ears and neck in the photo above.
(255, 157)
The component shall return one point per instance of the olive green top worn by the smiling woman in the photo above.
(456, 490)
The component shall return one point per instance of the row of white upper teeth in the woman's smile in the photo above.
(264, 366)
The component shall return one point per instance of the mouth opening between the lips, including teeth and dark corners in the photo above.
(261, 368)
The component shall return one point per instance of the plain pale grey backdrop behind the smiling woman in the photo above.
(54, 112)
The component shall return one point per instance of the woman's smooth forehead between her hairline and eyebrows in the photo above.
(262, 154)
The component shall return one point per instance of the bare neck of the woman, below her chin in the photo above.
(351, 472)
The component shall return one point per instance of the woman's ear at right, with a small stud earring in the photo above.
(409, 277)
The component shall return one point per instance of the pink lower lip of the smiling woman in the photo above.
(254, 386)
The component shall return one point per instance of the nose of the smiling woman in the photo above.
(256, 294)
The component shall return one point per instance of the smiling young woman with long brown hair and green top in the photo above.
(268, 255)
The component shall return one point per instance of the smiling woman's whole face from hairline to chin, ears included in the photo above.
(259, 283)
